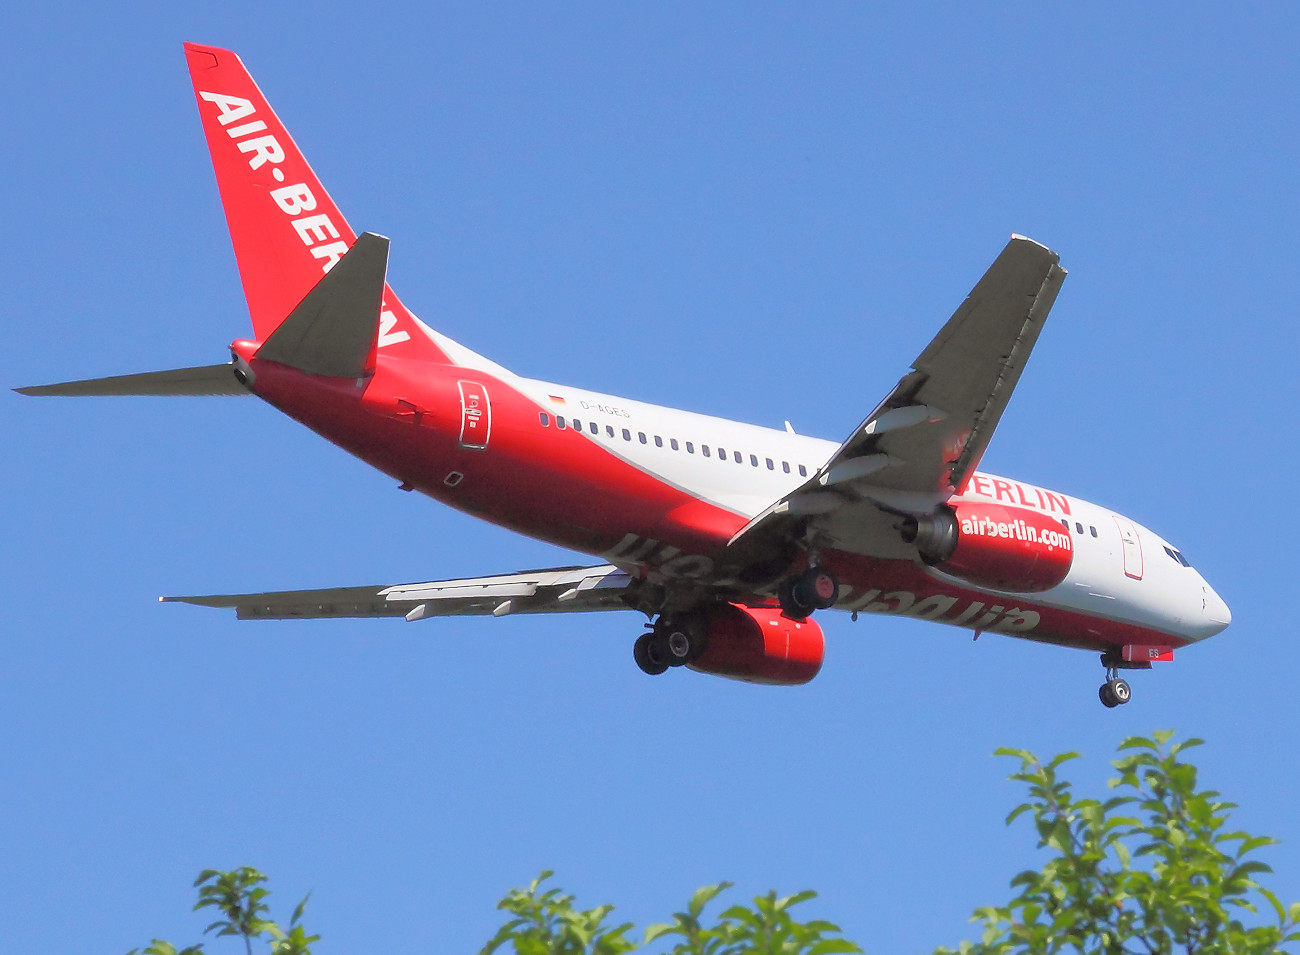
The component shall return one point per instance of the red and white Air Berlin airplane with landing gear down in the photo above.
(729, 537)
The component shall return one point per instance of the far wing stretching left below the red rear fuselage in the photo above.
(567, 589)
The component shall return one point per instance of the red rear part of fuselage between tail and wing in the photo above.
(554, 485)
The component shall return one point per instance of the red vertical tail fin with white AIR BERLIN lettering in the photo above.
(285, 228)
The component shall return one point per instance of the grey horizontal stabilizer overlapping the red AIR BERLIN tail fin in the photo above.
(333, 331)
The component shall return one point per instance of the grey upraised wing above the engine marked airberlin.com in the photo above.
(924, 441)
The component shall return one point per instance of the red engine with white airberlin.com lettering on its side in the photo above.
(995, 546)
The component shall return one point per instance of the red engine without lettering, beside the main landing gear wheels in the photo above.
(760, 646)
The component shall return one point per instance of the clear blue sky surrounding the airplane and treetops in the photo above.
(762, 214)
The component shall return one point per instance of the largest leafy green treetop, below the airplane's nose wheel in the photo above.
(1152, 870)
